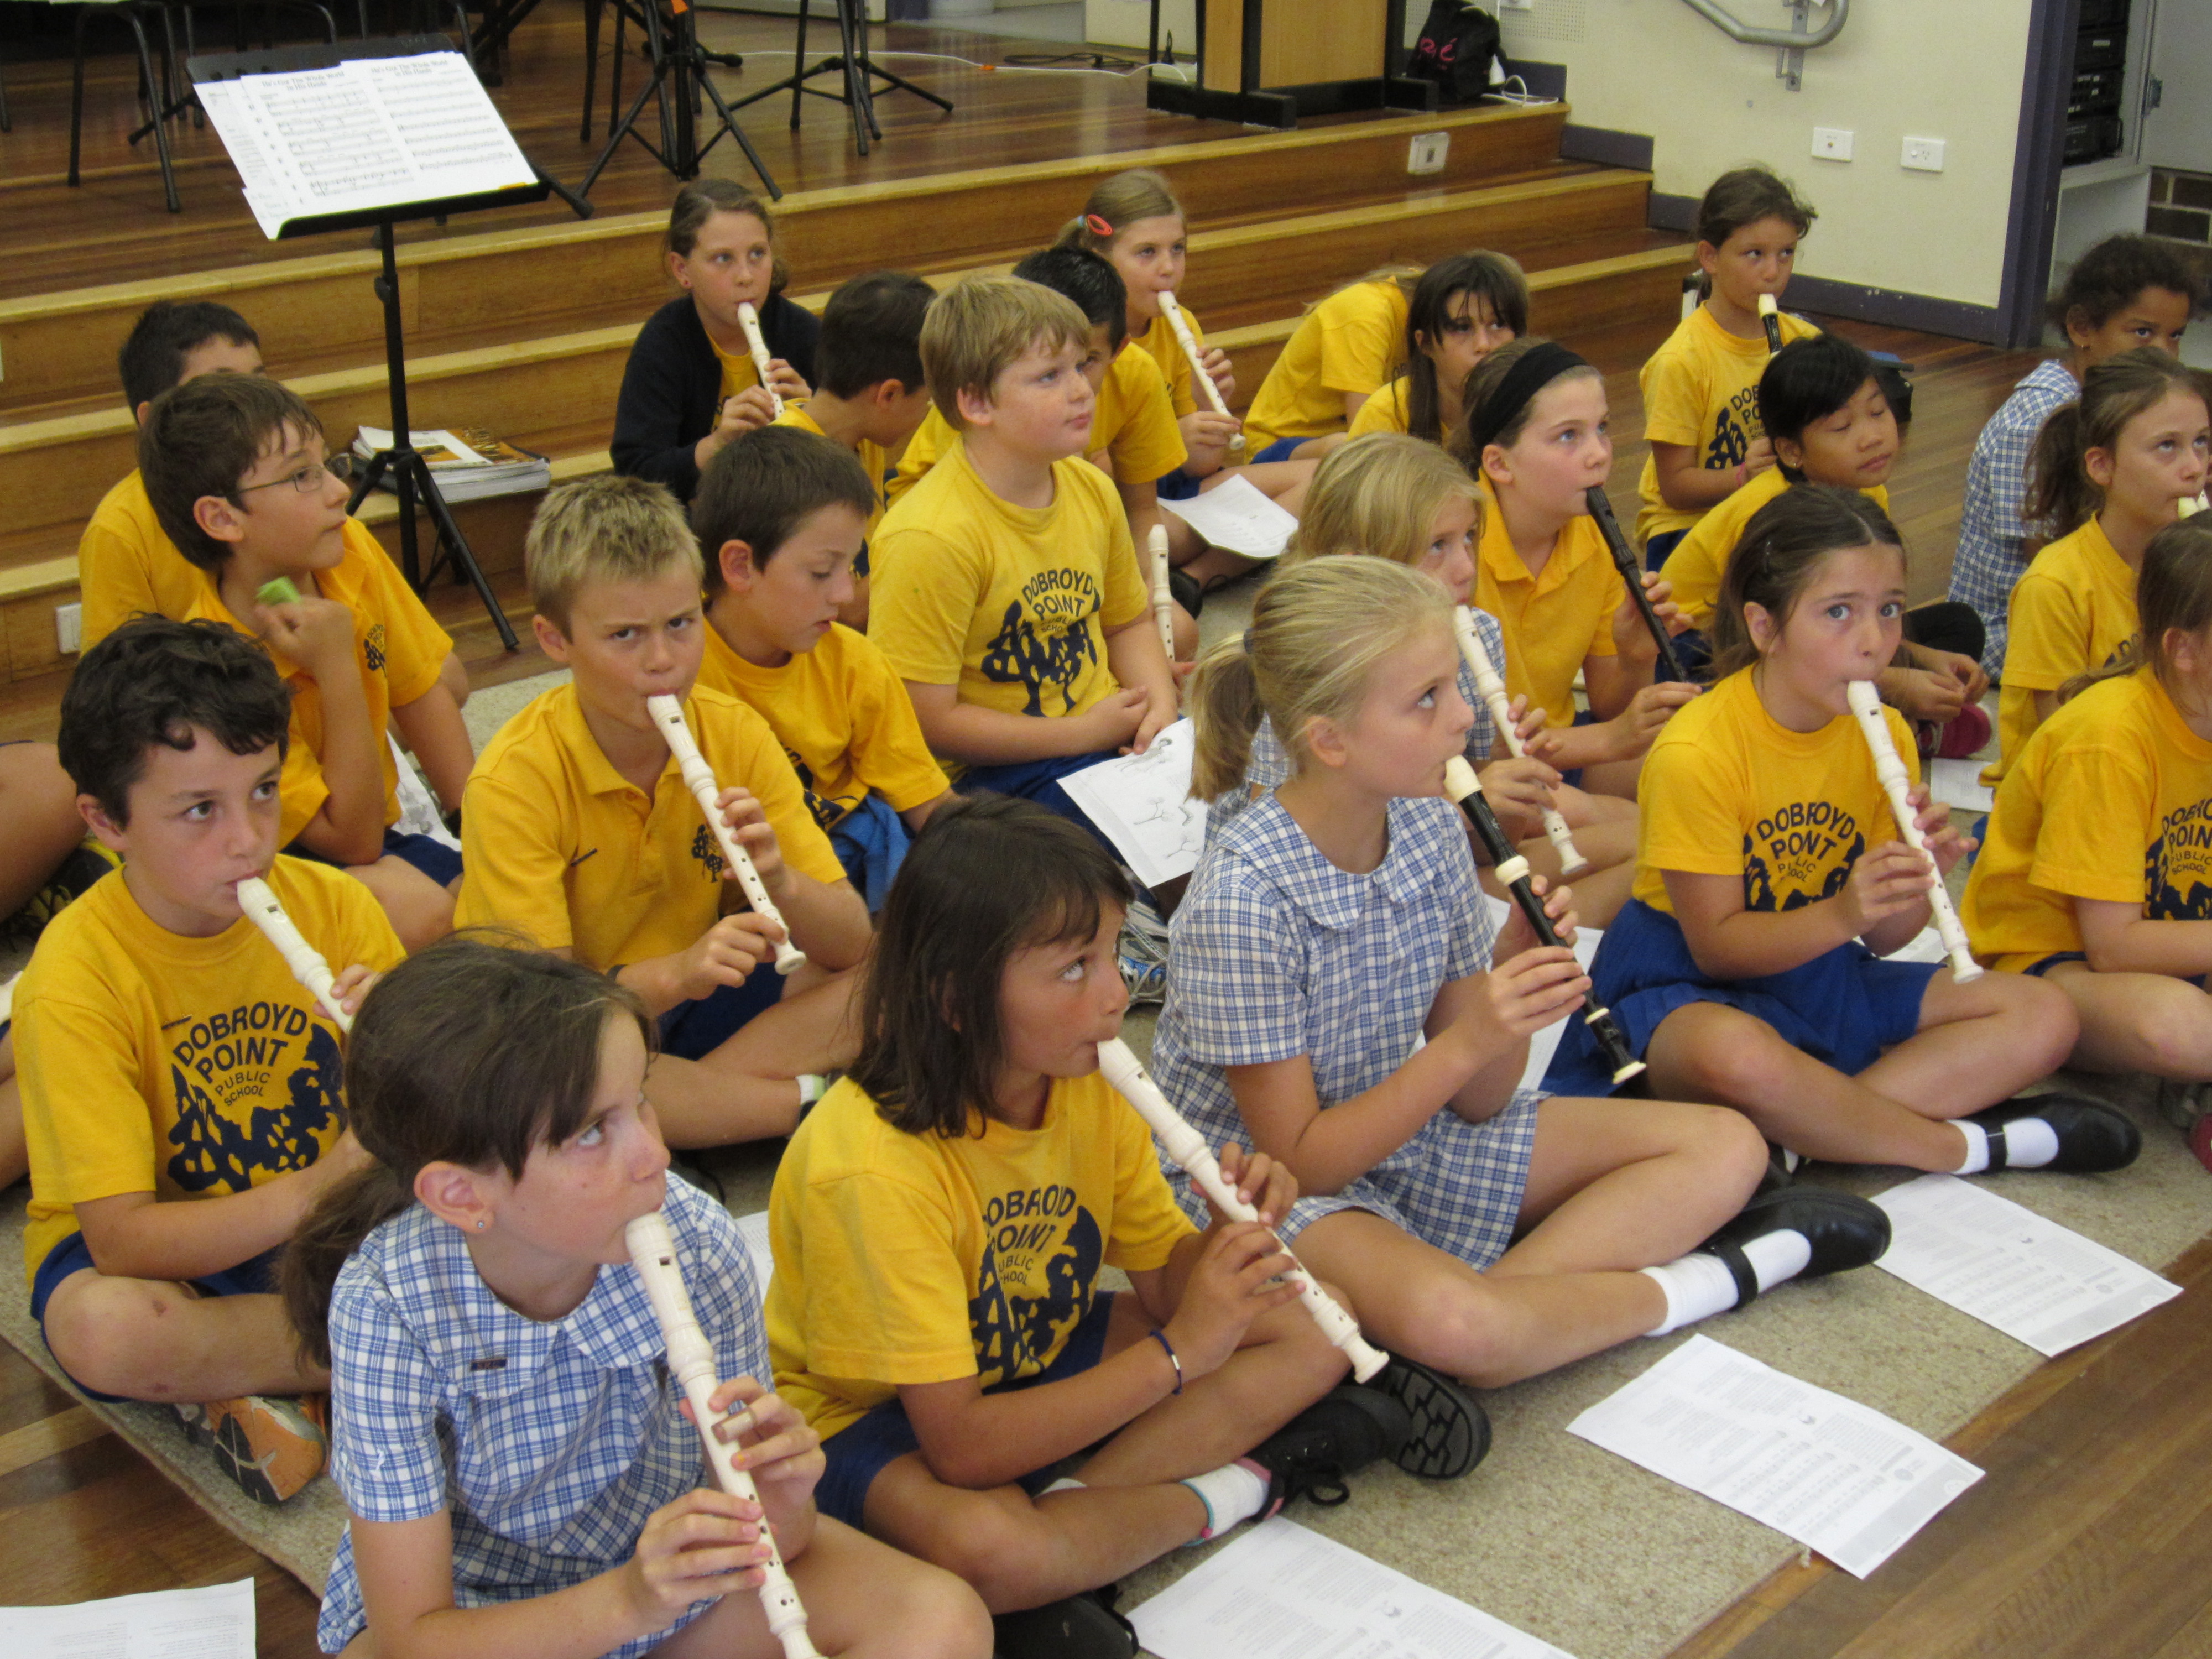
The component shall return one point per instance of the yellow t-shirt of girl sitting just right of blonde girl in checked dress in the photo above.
(1733, 793)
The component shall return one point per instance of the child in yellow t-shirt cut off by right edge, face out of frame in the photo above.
(2098, 873)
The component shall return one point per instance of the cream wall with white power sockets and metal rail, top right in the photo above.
(1901, 67)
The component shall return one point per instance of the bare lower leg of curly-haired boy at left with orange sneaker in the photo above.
(147, 1339)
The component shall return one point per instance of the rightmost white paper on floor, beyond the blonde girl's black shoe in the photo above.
(2003, 1264)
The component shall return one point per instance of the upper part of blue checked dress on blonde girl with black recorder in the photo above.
(1277, 954)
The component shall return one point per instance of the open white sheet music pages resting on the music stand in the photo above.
(362, 136)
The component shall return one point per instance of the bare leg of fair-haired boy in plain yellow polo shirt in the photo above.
(749, 1089)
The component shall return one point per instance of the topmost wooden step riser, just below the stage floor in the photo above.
(565, 278)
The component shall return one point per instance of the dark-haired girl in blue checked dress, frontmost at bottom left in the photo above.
(521, 1468)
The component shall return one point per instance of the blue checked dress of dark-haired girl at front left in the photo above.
(547, 1443)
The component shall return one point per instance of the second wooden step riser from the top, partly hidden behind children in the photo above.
(56, 470)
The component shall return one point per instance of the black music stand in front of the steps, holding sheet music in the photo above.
(410, 474)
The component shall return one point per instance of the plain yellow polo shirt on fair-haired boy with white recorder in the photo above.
(559, 844)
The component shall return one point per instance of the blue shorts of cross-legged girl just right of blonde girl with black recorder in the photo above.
(1844, 1008)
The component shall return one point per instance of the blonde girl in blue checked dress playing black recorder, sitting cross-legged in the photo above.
(1342, 1001)
